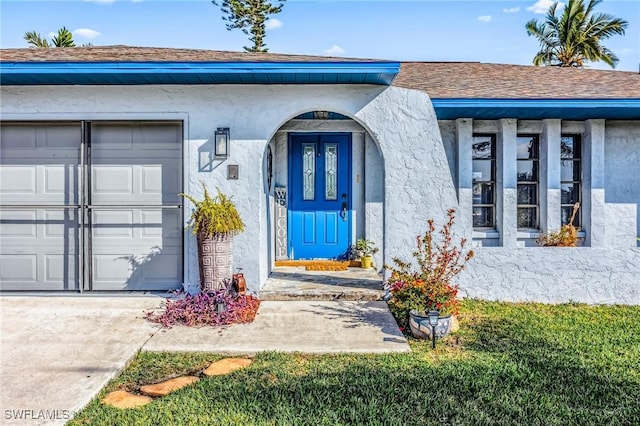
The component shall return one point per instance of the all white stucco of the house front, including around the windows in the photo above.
(408, 173)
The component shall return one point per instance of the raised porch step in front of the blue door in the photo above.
(295, 283)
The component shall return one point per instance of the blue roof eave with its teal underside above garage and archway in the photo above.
(140, 73)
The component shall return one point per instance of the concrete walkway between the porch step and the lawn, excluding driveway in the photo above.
(294, 326)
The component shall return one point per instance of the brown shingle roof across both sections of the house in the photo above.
(441, 80)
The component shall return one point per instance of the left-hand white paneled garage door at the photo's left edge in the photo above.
(40, 166)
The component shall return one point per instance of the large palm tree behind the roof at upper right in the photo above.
(575, 37)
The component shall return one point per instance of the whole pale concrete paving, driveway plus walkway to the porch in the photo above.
(57, 352)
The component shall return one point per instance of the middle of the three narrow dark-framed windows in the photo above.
(528, 181)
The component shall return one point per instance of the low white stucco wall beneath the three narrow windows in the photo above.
(554, 275)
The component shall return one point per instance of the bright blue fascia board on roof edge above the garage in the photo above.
(386, 71)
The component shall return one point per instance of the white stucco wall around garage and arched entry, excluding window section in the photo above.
(401, 122)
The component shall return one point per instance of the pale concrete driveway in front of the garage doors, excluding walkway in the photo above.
(57, 352)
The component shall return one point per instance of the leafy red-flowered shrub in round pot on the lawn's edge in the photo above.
(414, 291)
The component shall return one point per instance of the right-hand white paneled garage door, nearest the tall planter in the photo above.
(144, 168)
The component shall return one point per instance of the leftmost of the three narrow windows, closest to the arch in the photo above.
(484, 181)
